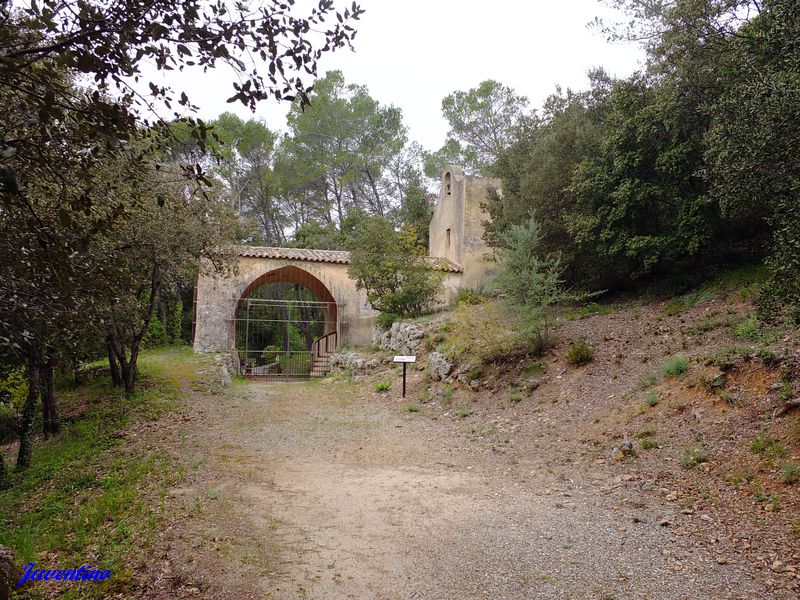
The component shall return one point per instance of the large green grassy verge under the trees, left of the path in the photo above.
(90, 491)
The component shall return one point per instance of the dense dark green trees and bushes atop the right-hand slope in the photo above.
(686, 167)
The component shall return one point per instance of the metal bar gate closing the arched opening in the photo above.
(285, 339)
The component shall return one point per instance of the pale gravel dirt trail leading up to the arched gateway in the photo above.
(323, 490)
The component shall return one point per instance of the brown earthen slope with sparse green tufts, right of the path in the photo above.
(688, 395)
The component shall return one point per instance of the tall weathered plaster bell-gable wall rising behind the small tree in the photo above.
(459, 211)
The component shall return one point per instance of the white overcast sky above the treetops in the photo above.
(412, 53)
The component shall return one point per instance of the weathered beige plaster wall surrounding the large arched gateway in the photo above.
(218, 296)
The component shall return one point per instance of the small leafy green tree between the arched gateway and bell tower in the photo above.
(389, 265)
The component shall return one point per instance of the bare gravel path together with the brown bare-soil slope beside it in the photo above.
(326, 489)
